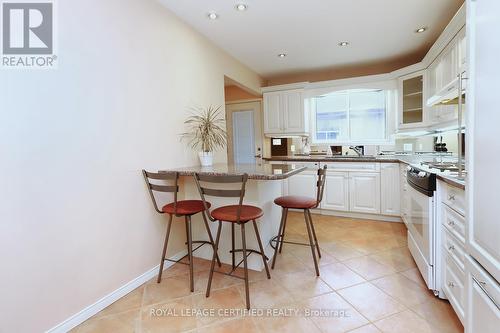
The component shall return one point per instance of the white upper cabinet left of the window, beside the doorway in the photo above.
(284, 113)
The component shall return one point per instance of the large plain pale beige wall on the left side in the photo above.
(76, 222)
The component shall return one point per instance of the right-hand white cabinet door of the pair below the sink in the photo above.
(364, 192)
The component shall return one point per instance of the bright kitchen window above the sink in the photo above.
(357, 115)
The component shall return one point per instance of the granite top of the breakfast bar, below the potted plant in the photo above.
(257, 171)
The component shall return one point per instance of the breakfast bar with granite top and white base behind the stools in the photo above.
(265, 183)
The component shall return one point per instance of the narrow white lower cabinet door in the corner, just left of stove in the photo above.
(389, 189)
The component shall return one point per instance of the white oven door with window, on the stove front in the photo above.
(420, 219)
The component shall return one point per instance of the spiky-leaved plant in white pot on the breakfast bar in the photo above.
(206, 132)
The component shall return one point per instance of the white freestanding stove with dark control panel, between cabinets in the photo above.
(423, 228)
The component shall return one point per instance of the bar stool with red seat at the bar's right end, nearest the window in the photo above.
(306, 204)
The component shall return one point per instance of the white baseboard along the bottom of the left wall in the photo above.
(112, 297)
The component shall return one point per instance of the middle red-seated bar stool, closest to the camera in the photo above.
(235, 214)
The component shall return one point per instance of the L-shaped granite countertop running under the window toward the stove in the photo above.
(414, 160)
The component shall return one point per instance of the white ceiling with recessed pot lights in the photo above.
(309, 31)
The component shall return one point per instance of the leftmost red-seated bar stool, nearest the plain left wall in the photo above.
(179, 208)
